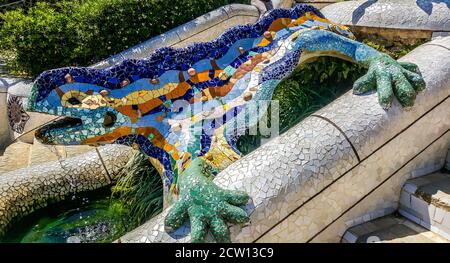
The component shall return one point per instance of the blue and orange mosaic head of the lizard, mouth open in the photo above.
(87, 109)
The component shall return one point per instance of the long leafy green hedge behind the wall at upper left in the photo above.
(79, 33)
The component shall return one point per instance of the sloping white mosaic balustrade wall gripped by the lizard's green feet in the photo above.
(283, 175)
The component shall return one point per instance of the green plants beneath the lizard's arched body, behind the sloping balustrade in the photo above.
(310, 87)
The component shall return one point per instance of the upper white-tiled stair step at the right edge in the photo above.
(426, 201)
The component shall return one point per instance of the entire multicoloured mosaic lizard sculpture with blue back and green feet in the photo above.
(177, 105)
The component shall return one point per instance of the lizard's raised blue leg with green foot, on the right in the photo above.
(389, 77)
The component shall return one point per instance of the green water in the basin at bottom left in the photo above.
(85, 218)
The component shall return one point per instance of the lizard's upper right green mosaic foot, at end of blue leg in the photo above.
(391, 78)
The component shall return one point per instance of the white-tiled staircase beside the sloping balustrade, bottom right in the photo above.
(423, 214)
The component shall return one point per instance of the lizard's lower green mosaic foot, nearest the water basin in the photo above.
(206, 205)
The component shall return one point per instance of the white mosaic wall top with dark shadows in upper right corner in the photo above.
(402, 15)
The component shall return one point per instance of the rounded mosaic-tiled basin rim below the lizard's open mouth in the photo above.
(26, 190)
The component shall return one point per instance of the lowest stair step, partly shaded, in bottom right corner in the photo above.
(391, 229)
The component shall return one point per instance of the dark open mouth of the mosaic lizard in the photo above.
(45, 133)
